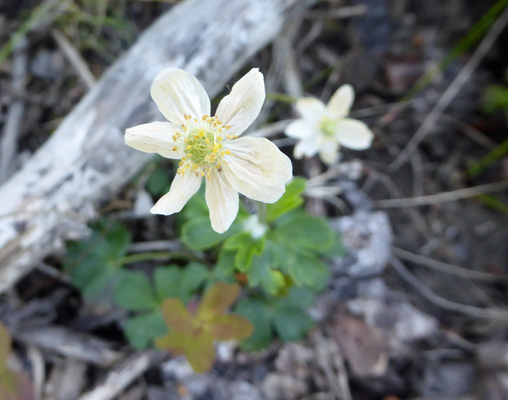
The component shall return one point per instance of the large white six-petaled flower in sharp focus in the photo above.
(209, 147)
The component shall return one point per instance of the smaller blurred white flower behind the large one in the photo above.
(324, 128)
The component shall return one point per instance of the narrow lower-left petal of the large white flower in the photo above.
(182, 189)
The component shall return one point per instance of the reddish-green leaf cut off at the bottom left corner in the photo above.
(13, 386)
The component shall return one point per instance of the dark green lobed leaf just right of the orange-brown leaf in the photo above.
(284, 316)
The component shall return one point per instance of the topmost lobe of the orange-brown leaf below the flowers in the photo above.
(217, 300)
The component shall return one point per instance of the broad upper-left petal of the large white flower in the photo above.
(177, 93)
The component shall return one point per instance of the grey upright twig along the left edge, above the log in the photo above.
(8, 143)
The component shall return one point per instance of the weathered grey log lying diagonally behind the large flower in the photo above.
(85, 161)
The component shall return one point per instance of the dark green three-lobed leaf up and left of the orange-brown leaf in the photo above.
(135, 292)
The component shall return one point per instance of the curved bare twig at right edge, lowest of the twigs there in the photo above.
(486, 313)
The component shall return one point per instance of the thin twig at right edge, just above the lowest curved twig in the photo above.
(447, 268)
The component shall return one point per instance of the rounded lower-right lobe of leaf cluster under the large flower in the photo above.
(307, 270)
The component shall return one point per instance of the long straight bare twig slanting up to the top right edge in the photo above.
(451, 92)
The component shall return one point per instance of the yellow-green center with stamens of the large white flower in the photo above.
(204, 145)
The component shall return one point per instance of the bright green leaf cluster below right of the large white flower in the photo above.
(288, 253)
